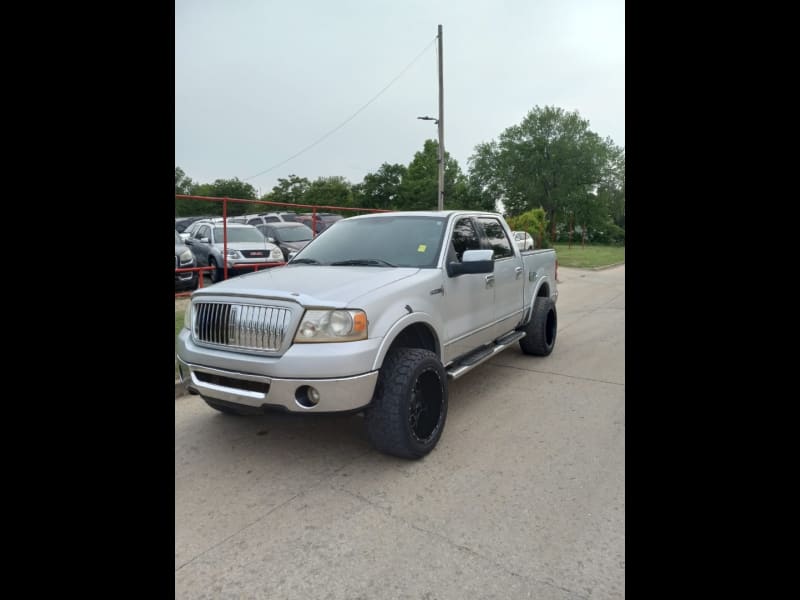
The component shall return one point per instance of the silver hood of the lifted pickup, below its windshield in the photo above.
(310, 285)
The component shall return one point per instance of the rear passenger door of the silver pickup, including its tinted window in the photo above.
(508, 275)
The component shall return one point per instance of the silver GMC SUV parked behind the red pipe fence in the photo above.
(246, 246)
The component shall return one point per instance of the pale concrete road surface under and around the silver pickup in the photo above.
(524, 497)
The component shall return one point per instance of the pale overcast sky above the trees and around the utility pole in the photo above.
(257, 81)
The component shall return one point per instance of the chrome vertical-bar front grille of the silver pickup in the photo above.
(246, 326)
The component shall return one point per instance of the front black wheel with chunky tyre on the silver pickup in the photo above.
(409, 408)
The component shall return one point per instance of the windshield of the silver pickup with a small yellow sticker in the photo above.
(401, 241)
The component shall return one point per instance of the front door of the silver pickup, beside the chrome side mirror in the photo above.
(469, 298)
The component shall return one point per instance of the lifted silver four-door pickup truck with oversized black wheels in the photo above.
(374, 315)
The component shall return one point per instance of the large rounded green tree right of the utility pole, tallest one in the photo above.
(552, 159)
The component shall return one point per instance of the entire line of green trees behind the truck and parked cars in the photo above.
(551, 161)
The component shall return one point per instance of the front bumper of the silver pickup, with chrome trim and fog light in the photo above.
(335, 395)
